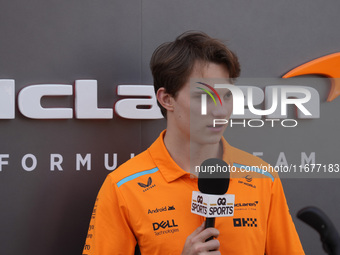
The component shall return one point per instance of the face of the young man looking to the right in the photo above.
(188, 104)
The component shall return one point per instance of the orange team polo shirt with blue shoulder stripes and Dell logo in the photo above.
(148, 200)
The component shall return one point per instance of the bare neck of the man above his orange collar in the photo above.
(188, 154)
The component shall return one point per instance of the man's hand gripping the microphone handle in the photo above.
(196, 245)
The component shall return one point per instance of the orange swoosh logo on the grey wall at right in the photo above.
(328, 66)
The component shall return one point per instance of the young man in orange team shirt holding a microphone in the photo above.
(147, 200)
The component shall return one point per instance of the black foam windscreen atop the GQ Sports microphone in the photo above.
(214, 177)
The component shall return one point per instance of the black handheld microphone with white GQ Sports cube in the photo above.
(213, 183)
